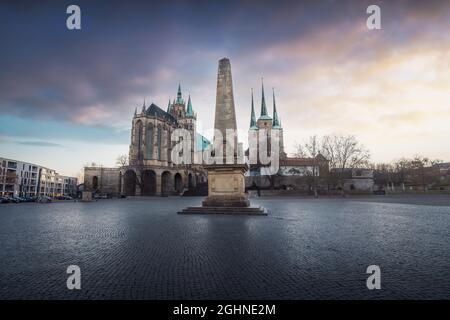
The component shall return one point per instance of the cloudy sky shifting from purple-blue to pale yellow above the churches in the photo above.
(67, 97)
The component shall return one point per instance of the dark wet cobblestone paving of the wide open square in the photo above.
(304, 249)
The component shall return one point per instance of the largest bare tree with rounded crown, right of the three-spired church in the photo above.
(344, 152)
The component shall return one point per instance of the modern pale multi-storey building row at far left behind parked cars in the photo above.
(18, 178)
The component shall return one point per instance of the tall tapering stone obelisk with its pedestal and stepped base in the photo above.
(226, 181)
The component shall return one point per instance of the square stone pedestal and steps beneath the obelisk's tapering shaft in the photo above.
(226, 192)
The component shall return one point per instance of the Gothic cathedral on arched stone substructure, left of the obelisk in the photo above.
(150, 170)
